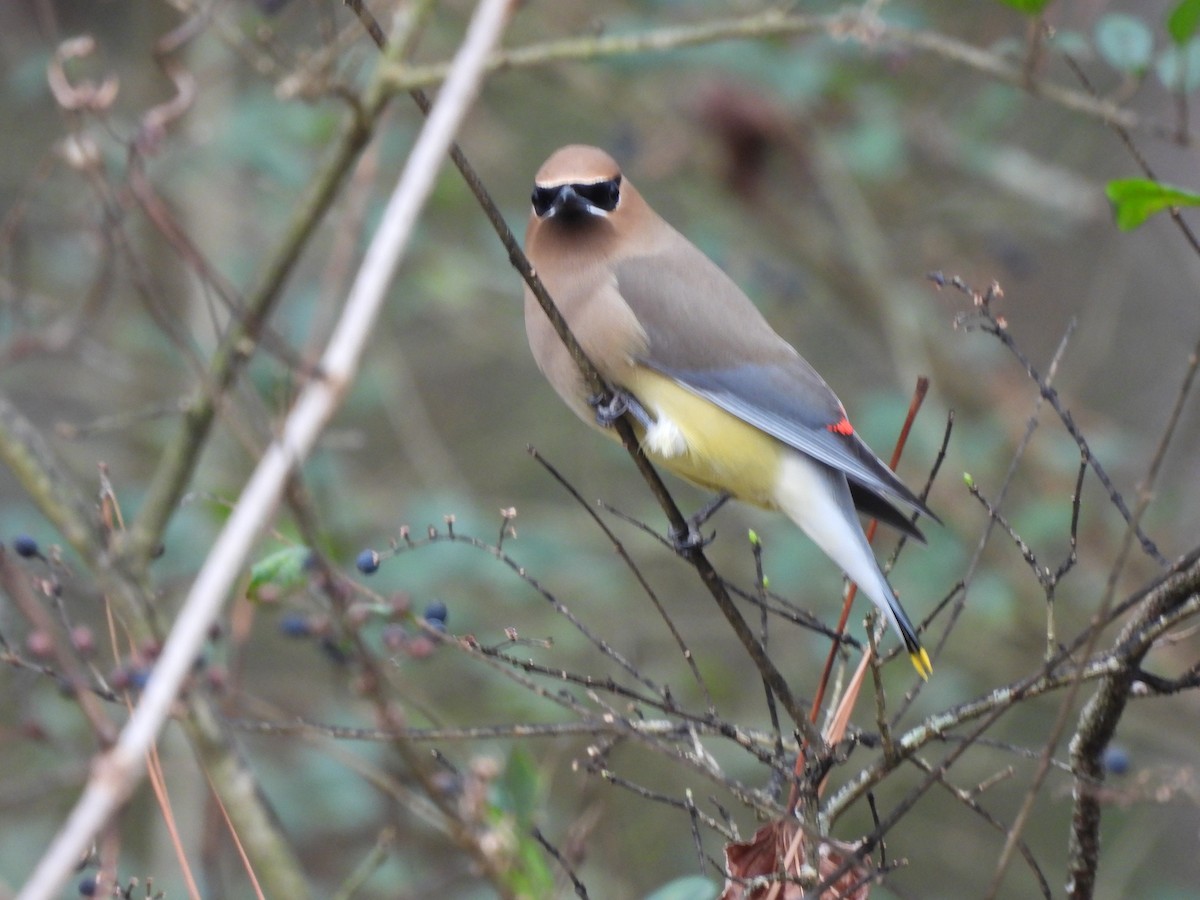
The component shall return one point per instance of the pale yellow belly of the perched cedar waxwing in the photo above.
(718, 451)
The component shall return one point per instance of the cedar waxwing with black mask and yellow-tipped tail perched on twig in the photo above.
(718, 398)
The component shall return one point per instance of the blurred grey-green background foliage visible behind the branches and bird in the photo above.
(826, 178)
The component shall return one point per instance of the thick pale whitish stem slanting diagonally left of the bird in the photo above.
(118, 772)
